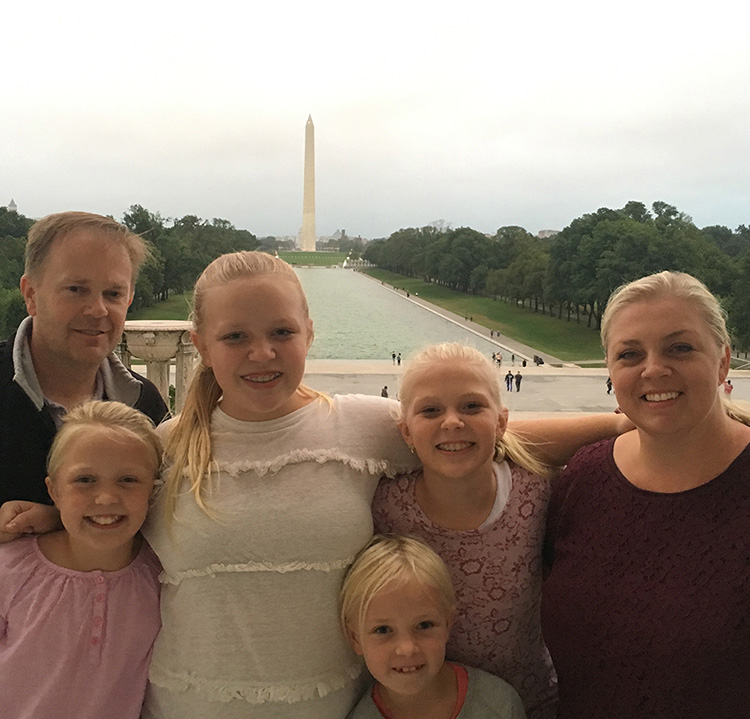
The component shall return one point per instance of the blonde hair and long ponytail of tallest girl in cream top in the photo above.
(188, 447)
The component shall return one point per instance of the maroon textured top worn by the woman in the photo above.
(646, 611)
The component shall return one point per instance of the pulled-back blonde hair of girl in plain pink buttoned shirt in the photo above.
(115, 416)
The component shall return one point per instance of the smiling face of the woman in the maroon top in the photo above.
(665, 365)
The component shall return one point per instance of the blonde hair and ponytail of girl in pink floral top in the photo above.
(510, 445)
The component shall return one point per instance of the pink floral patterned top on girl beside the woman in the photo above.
(497, 572)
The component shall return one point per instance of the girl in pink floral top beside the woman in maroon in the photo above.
(480, 501)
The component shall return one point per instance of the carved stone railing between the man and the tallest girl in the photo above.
(158, 343)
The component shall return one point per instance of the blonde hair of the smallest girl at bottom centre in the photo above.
(387, 561)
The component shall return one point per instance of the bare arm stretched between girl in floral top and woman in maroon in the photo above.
(555, 441)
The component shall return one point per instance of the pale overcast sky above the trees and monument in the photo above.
(481, 114)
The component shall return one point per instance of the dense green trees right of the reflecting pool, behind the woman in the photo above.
(572, 274)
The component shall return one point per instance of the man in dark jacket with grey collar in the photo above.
(78, 283)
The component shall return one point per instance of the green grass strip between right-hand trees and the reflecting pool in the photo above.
(567, 340)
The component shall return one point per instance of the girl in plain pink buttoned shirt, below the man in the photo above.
(79, 608)
